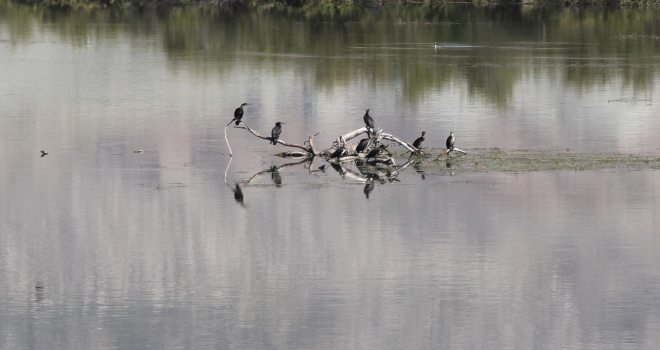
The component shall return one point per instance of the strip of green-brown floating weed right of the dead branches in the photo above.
(524, 161)
